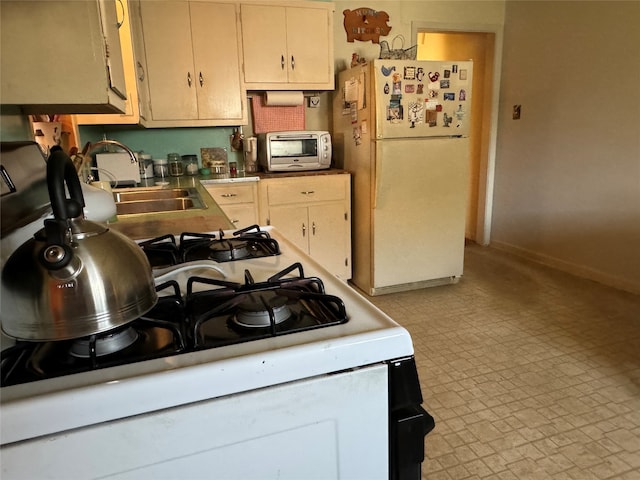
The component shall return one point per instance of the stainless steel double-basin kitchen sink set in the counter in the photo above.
(138, 201)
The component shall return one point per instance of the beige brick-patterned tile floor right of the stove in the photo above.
(529, 372)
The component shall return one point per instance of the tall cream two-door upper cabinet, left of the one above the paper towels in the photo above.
(187, 56)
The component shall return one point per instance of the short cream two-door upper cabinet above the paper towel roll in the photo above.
(288, 47)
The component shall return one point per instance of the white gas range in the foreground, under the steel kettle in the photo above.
(338, 401)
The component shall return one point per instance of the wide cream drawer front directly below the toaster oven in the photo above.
(307, 190)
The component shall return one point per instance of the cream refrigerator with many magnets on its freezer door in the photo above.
(401, 128)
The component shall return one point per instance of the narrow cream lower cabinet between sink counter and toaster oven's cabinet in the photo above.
(238, 201)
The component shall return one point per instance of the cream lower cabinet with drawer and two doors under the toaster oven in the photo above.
(314, 212)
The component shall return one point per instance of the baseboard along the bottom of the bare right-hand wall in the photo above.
(568, 267)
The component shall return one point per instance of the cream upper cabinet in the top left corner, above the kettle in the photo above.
(62, 56)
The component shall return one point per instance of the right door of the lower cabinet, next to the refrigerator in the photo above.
(328, 239)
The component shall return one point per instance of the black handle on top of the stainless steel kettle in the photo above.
(60, 170)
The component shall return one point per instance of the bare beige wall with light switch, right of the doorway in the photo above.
(567, 185)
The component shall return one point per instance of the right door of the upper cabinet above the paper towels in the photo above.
(307, 43)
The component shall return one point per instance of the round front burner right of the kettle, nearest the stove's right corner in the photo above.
(257, 310)
